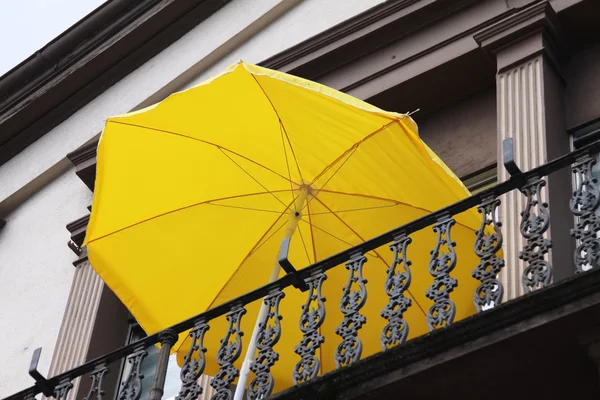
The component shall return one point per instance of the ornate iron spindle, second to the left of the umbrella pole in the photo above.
(193, 363)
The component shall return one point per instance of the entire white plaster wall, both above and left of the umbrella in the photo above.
(35, 263)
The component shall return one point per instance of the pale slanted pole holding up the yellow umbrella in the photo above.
(295, 216)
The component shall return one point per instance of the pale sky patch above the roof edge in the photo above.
(27, 25)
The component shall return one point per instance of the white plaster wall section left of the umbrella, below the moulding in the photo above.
(35, 277)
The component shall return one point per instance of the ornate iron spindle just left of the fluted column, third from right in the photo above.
(487, 244)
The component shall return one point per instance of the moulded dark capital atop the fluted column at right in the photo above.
(528, 33)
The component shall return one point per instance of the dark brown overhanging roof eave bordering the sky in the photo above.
(81, 63)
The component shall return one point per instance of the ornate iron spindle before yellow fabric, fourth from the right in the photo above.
(443, 310)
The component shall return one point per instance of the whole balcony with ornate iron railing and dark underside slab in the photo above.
(543, 344)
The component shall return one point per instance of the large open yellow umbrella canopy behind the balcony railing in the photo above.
(194, 195)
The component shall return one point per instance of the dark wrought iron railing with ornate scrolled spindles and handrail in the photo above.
(535, 222)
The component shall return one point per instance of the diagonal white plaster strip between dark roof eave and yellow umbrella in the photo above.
(230, 31)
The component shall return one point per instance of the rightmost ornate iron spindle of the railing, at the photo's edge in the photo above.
(584, 205)
